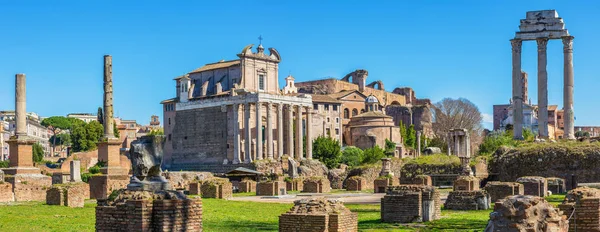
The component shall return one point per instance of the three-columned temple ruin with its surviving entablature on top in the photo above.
(542, 26)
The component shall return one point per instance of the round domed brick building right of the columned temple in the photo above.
(372, 127)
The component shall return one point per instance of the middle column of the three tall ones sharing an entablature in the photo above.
(542, 88)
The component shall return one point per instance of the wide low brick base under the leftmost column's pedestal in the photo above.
(29, 187)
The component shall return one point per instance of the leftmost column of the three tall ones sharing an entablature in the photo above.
(517, 89)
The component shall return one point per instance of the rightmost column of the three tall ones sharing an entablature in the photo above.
(569, 115)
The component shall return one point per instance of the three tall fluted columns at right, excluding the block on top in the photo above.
(569, 118)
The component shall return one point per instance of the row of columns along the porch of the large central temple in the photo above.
(294, 149)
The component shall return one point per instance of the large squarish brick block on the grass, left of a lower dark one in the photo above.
(411, 203)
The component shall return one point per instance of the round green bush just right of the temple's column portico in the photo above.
(328, 151)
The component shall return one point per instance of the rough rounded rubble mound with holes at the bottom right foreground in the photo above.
(526, 213)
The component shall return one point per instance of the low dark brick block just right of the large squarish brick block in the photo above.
(468, 200)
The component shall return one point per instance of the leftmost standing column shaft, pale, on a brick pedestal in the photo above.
(20, 106)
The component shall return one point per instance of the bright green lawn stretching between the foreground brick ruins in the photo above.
(222, 215)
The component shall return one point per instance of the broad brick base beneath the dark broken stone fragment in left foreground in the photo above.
(148, 215)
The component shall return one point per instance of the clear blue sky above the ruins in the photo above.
(439, 48)
